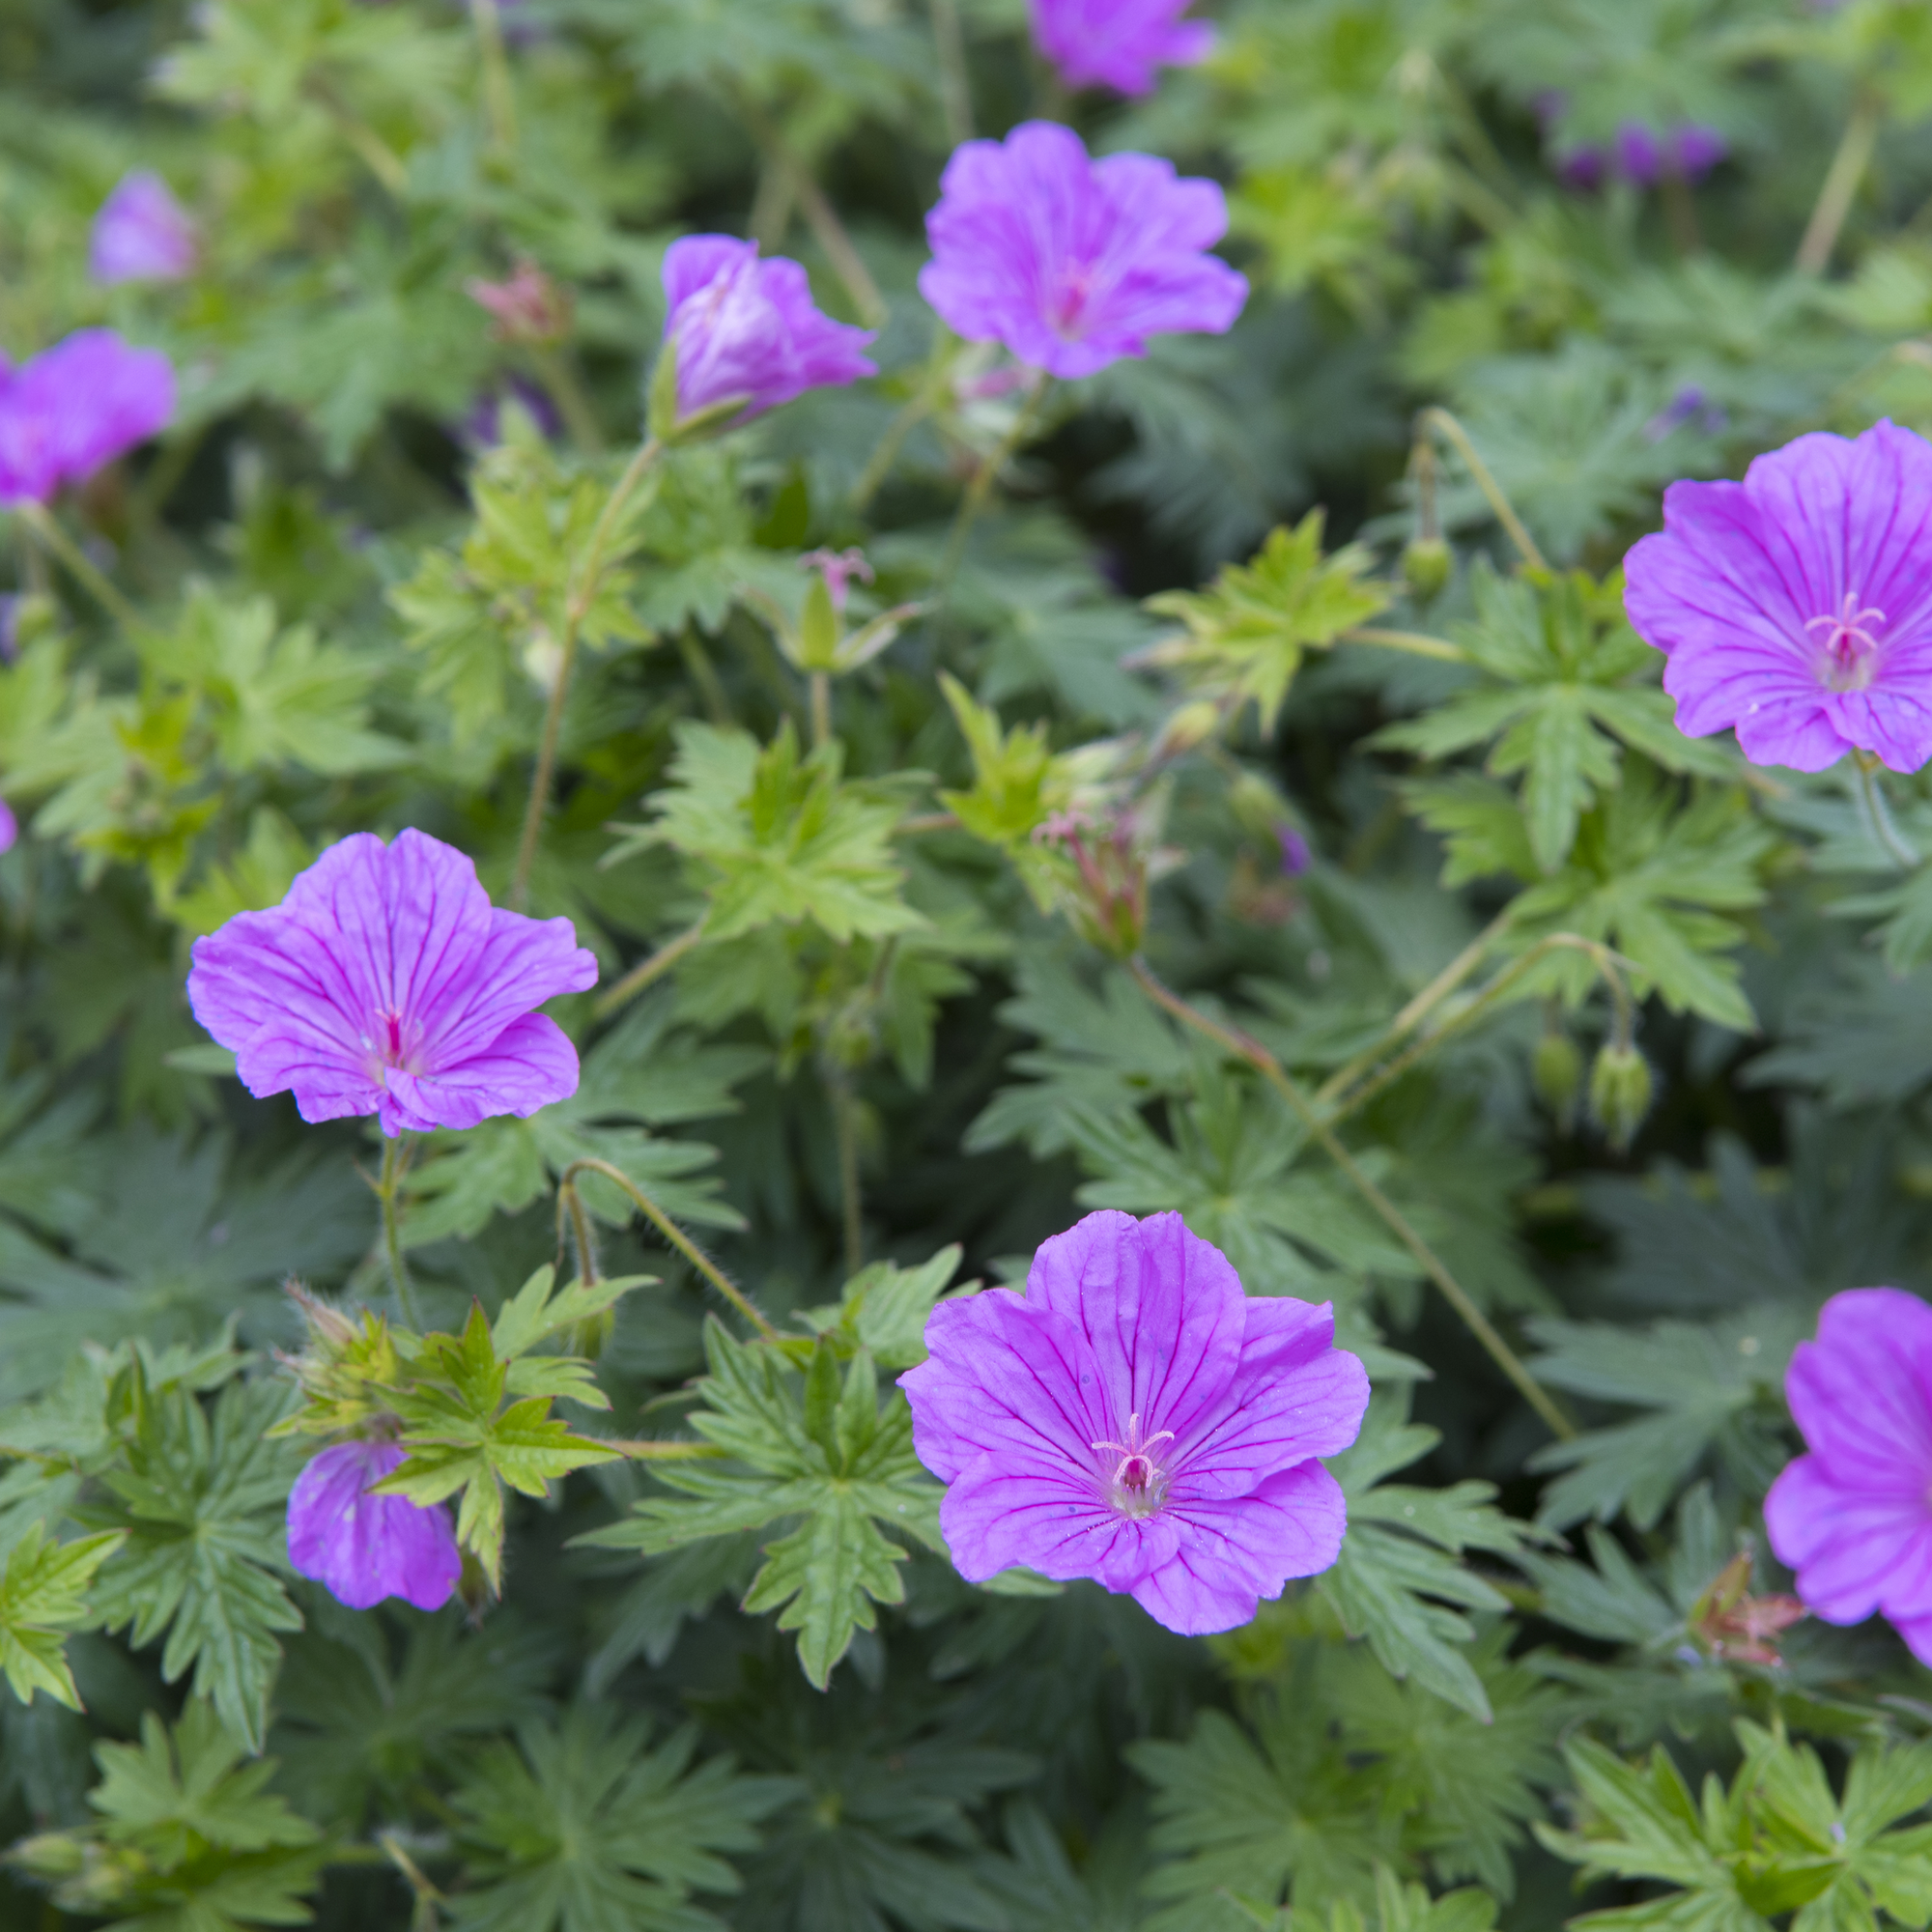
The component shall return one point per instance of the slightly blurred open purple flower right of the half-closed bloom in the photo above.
(1071, 262)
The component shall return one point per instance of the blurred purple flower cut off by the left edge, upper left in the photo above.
(74, 409)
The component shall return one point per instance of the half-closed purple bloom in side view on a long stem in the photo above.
(749, 327)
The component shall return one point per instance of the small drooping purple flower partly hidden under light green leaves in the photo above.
(366, 1547)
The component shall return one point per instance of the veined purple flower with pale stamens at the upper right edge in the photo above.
(1794, 606)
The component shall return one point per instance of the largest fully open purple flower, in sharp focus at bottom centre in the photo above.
(1141, 1421)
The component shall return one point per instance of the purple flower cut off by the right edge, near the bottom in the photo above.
(1856, 1516)
